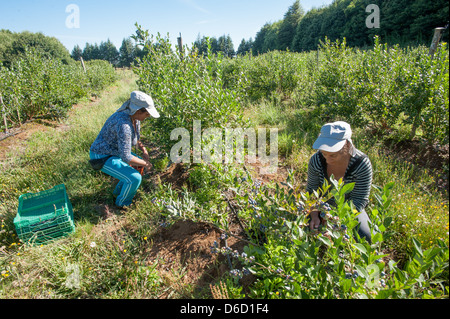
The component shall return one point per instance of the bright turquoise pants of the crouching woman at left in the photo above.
(129, 178)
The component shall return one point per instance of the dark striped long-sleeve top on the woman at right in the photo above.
(359, 171)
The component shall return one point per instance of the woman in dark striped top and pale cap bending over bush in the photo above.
(338, 157)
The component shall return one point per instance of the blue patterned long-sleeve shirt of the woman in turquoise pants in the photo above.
(117, 137)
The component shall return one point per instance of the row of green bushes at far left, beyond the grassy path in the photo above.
(36, 85)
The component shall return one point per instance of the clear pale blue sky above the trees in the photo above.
(101, 20)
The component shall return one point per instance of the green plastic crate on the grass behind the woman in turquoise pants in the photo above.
(44, 216)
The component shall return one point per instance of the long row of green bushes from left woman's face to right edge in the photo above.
(386, 88)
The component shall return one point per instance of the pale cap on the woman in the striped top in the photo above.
(333, 137)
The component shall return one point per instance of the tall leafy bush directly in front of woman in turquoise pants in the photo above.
(185, 87)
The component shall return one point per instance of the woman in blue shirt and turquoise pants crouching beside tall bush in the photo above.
(111, 151)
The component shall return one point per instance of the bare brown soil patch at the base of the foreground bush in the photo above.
(185, 249)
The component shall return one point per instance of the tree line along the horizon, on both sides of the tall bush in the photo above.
(402, 22)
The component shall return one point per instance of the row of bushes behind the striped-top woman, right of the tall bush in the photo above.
(383, 88)
